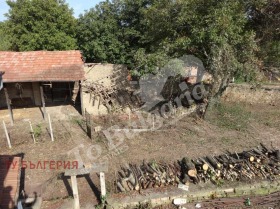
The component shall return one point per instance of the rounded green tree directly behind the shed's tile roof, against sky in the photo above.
(41, 25)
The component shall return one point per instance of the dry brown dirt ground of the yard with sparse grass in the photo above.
(234, 127)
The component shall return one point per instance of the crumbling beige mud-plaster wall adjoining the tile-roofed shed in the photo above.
(103, 85)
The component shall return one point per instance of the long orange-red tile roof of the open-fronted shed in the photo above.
(41, 66)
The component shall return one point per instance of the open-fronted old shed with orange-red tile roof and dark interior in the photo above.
(32, 77)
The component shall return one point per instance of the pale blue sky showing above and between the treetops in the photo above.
(79, 6)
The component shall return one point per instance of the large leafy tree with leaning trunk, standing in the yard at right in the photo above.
(214, 31)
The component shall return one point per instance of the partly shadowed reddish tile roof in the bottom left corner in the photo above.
(10, 168)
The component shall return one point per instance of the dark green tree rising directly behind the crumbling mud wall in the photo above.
(112, 31)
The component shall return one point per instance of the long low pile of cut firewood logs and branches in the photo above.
(258, 163)
